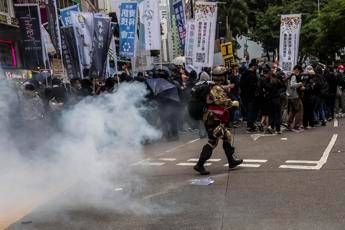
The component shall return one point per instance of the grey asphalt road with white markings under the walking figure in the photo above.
(288, 181)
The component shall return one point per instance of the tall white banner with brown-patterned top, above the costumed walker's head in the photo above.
(205, 27)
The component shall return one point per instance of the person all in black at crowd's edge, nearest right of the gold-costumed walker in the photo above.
(248, 85)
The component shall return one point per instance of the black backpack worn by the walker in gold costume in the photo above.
(197, 105)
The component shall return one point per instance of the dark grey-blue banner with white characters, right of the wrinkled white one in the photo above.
(101, 40)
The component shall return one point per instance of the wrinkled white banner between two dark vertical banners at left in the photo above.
(83, 31)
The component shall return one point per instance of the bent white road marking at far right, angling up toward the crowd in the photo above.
(319, 164)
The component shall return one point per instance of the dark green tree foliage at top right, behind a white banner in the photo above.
(322, 34)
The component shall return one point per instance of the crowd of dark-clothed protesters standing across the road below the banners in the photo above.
(270, 100)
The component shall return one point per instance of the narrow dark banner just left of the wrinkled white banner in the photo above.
(69, 53)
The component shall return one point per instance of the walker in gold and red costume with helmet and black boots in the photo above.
(216, 120)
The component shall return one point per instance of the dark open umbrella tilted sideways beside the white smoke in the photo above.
(161, 88)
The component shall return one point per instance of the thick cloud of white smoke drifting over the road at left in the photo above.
(87, 150)
